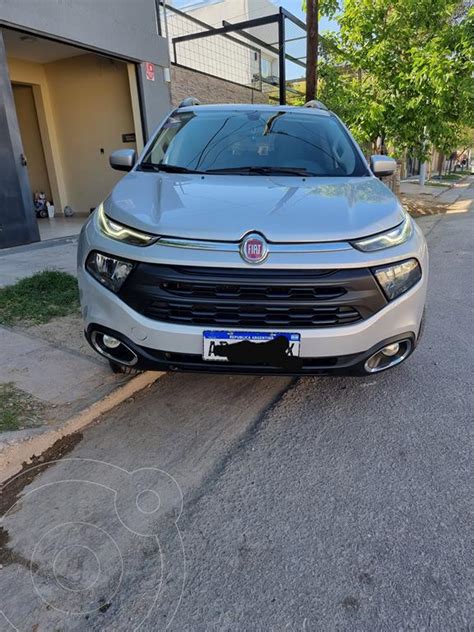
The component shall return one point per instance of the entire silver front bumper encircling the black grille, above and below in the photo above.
(170, 346)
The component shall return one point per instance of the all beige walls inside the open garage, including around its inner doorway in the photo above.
(84, 104)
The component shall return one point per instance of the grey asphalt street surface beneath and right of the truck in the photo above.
(266, 503)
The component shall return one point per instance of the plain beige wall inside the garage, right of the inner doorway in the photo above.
(92, 109)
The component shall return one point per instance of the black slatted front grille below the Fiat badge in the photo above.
(242, 298)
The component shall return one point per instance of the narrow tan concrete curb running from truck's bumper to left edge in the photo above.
(13, 456)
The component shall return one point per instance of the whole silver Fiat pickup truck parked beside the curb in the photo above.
(252, 238)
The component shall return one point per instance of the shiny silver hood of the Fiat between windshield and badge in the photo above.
(225, 208)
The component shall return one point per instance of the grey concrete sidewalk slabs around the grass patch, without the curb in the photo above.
(51, 362)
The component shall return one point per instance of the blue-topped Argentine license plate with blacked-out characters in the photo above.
(217, 346)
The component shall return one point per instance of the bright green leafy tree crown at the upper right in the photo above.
(402, 70)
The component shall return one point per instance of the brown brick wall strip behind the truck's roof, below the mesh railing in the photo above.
(191, 83)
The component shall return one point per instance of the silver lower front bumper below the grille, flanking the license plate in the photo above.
(167, 346)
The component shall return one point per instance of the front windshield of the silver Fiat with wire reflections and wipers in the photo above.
(254, 142)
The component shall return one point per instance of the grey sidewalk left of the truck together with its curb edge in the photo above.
(50, 367)
